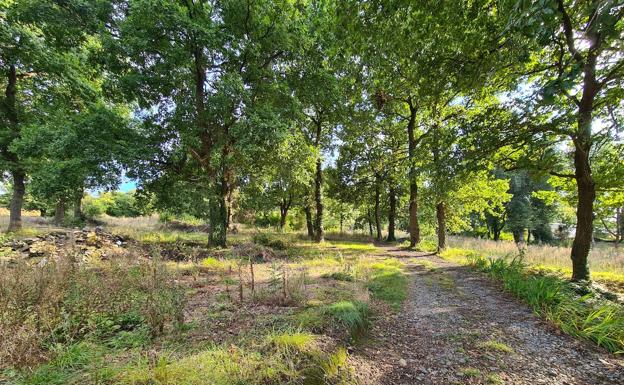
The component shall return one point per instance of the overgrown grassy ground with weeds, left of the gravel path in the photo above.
(128, 308)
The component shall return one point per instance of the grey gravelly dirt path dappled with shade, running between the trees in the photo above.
(458, 328)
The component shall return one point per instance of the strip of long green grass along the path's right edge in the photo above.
(576, 310)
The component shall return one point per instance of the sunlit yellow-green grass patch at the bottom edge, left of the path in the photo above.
(286, 357)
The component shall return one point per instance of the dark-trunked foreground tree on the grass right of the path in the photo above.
(577, 66)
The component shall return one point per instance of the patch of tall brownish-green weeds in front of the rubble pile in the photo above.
(61, 302)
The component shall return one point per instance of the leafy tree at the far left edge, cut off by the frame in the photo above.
(44, 65)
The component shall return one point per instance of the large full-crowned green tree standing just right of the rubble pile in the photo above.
(209, 78)
